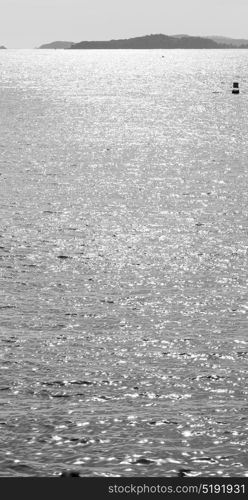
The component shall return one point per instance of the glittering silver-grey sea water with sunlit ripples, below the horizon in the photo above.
(124, 240)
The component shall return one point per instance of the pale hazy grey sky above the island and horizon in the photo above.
(29, 23)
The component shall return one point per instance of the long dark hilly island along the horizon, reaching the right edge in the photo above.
(155, 42)
